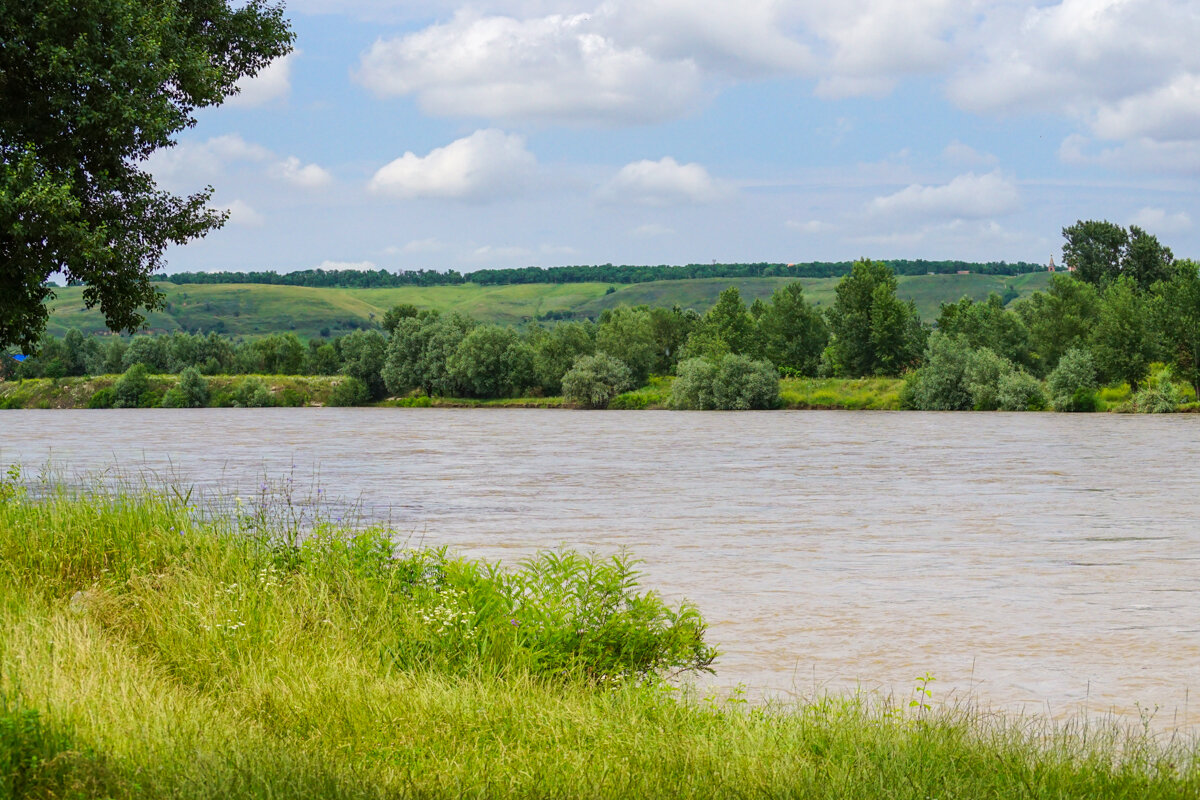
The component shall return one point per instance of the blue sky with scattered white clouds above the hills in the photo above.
(446, 135)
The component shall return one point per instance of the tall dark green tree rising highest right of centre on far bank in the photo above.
(873, 333)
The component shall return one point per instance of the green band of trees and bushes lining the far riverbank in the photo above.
(1124, 309)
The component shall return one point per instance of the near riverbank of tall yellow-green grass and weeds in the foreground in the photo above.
(146, 653)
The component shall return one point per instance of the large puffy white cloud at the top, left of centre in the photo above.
(556, 68)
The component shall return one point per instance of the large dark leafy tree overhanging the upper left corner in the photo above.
(88, 92)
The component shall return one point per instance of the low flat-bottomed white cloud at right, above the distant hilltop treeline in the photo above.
(967, 197)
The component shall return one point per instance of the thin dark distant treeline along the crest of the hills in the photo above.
(602, 274)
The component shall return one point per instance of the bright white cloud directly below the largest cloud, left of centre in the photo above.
(484, 166)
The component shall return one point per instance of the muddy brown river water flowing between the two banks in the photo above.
(1048, 563)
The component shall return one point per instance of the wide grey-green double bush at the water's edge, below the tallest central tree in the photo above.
(734, 383)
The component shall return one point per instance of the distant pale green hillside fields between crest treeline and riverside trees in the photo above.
(255, 310)
